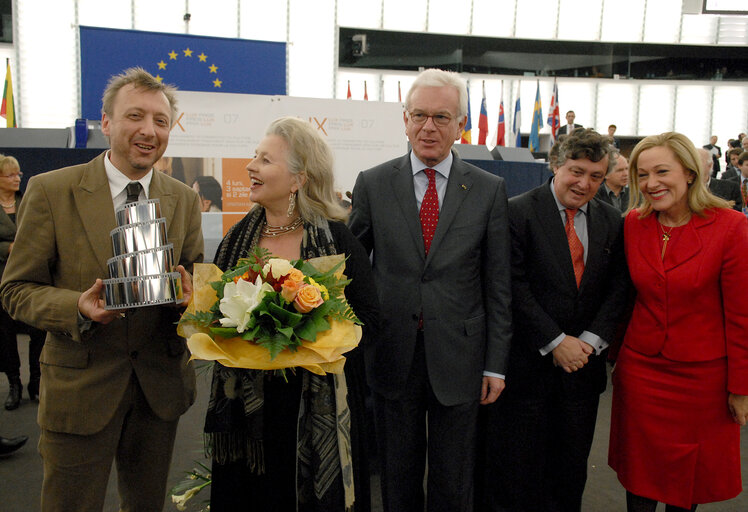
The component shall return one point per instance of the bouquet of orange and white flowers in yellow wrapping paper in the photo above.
(270, 314)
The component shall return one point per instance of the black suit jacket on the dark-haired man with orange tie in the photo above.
(545, 298)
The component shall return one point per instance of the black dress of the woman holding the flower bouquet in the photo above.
(236, 487)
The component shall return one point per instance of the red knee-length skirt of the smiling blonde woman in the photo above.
(672, 437)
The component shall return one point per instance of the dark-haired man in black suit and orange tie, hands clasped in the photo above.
(569, 291)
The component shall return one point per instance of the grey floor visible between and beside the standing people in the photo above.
(21, 472)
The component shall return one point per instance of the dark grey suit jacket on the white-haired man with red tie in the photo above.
(462, 287)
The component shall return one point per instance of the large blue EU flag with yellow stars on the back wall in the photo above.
(192, 63)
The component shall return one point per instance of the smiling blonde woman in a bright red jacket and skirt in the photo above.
(681, 378)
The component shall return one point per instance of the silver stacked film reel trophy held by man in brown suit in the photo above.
(142, 272)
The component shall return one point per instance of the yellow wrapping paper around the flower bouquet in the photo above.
(325, 355)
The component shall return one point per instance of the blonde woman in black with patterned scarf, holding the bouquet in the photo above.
(277, 444)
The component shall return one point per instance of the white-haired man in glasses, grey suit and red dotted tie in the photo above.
(437, 229)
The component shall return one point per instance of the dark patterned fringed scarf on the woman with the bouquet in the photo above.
(234, 421)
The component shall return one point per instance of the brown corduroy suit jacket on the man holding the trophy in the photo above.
(62, 246)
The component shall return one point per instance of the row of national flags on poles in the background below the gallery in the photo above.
(554, 120)
